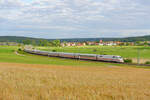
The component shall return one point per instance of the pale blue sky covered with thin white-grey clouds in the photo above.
(74, 18)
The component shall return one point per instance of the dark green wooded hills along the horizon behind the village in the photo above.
(39, 40)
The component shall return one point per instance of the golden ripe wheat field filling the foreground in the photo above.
(50, 82)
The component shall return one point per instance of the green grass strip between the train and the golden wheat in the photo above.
(7, 54)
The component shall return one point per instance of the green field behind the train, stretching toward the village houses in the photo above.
(124, 51)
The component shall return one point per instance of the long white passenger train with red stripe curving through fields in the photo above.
(106, 58)
